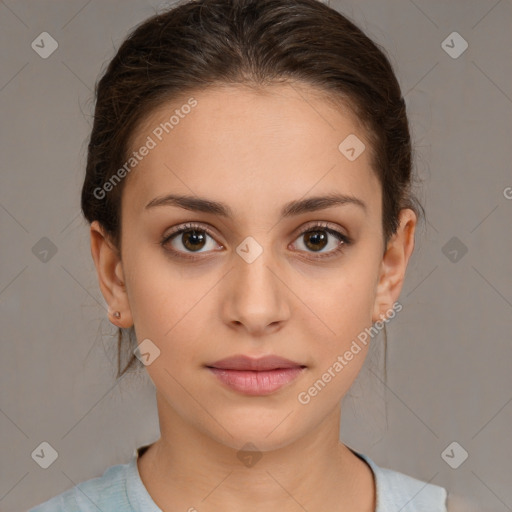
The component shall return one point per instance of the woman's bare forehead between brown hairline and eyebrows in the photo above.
(246, 146)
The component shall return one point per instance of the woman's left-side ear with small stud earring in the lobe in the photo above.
(110, 275)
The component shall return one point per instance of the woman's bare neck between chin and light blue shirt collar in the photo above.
(188, 470)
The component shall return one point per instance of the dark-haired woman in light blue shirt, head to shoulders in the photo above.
(248, 188)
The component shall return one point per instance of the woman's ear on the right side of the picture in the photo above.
(394, 264)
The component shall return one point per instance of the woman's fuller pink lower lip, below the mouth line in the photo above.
(257, 382)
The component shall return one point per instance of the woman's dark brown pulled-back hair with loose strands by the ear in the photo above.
(200, 43)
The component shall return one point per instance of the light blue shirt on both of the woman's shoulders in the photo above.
(120, 489)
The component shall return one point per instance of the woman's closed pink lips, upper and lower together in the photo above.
(256, 376)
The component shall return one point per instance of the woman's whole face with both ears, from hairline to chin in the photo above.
(262, 266)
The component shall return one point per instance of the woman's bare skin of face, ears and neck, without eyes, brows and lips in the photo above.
(253, 150)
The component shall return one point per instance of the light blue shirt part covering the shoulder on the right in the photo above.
(399, 492)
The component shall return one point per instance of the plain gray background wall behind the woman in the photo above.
(449, 349)
